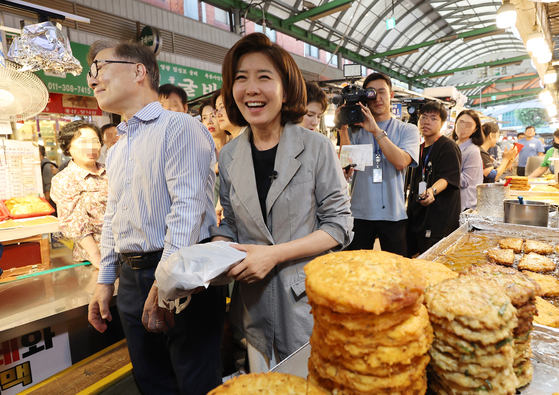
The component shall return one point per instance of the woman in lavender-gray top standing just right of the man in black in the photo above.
(468, 135)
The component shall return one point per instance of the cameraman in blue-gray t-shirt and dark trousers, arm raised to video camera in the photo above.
(378, 202)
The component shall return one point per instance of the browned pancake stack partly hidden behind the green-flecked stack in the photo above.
(522, 292)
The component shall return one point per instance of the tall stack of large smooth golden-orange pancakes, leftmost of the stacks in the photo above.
(371, 331)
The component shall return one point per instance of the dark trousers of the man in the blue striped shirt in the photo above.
(183, 360)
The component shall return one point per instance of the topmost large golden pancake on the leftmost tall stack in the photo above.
(363, 281)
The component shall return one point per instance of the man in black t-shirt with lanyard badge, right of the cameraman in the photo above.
(434, 198)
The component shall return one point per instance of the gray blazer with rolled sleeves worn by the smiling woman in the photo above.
(310, 193)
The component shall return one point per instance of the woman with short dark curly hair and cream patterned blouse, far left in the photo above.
(81, 190)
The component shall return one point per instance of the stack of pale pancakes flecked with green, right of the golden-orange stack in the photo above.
(473, 320)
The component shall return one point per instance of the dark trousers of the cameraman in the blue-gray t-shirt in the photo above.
(392, 235)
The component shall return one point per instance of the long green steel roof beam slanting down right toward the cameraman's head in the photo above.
(273, 22)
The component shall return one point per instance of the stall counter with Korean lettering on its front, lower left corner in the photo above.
(43, 322)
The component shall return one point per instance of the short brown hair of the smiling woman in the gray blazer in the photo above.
(295, 105)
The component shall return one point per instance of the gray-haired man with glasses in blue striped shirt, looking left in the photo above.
(160, 199)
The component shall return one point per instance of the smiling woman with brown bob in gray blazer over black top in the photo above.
(284, 198)
